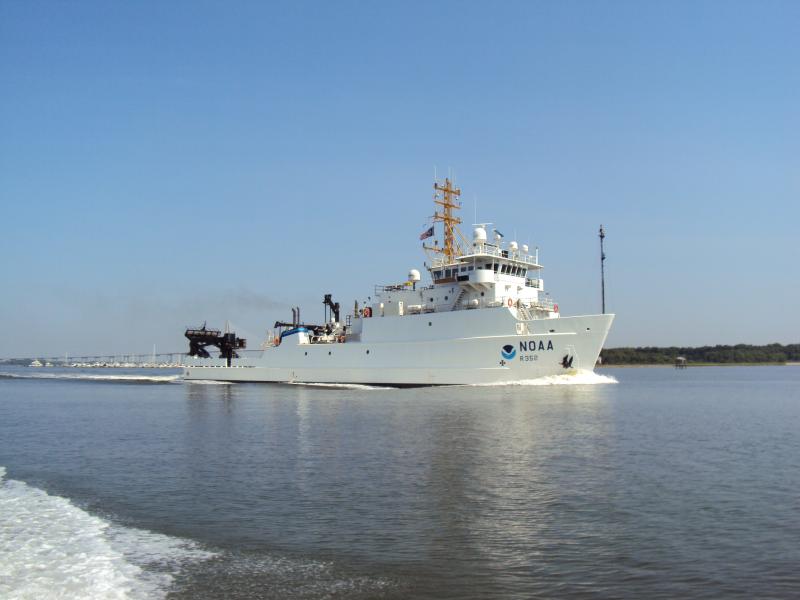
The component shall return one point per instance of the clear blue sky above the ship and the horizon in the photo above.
(163, 164)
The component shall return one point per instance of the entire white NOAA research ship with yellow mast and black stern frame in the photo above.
(481, 317)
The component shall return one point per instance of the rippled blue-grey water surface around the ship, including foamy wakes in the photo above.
(136, 485)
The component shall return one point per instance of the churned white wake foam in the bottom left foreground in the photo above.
(50, 548)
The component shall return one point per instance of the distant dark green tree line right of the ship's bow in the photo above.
(740, 353)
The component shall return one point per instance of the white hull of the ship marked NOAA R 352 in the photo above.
(457, 347)
